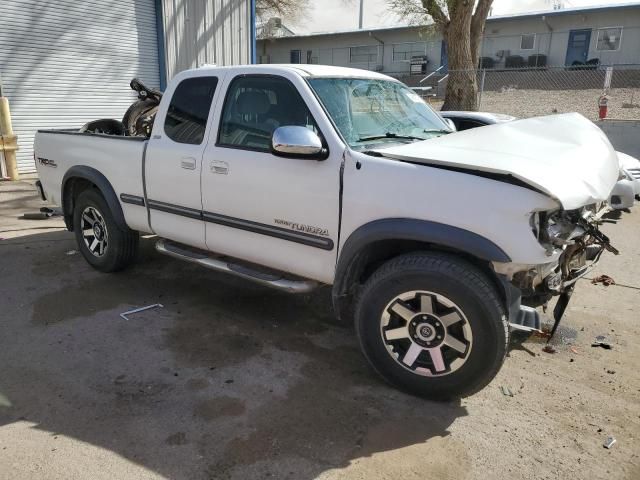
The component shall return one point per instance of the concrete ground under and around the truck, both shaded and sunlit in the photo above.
(233, 381)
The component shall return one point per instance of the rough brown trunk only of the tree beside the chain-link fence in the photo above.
(462, 85)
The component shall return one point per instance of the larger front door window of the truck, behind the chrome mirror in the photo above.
(255, 106)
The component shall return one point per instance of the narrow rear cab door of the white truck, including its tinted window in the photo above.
(174, 160)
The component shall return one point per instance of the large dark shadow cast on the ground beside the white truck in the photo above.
(228, 380)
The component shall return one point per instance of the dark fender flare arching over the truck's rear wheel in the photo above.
(100, 181)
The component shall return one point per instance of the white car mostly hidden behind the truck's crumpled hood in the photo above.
(623, 194)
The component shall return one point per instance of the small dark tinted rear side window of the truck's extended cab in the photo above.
(189, 109)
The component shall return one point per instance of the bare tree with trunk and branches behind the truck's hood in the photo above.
(461, 23)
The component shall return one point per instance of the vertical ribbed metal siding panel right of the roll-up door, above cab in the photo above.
(199, 32)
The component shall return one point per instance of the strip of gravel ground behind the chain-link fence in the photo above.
(533, 103)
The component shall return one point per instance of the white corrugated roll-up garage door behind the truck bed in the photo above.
(67, 62)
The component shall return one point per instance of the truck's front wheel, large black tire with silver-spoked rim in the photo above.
(433, 325)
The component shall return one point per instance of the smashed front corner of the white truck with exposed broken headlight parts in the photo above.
(575, 235)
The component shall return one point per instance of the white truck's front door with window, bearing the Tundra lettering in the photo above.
(275, 211)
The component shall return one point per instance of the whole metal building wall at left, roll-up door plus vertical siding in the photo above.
(67, 62)
